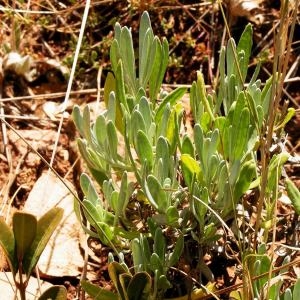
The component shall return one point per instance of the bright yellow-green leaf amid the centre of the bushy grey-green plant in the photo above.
(190, 169)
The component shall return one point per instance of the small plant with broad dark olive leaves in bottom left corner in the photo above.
(24, 244)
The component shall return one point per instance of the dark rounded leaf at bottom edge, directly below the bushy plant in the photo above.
(139, 287)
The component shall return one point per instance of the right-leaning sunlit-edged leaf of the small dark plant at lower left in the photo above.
(45, 228)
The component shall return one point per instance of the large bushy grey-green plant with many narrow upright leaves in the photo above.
(160, 183)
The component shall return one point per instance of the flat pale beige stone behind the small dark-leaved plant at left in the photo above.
(62, 255)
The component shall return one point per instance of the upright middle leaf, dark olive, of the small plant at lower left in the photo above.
(24, 227)
